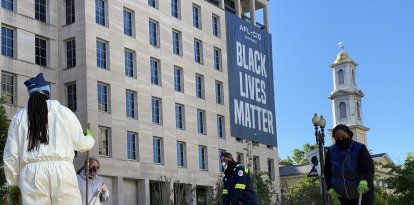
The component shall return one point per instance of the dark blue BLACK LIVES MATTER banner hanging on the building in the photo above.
(250, 73)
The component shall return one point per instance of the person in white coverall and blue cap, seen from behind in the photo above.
(40, 147)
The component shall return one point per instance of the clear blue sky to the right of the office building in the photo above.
(378, 35)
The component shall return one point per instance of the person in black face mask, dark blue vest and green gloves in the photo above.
(349, 170)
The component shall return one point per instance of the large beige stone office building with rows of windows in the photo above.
(151, 79)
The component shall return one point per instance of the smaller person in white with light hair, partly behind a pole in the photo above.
(97, 190)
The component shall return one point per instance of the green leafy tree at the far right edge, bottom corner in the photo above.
(401, 181)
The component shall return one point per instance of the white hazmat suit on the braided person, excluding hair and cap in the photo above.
(46, 175)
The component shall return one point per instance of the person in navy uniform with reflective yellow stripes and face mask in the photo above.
(238, 187)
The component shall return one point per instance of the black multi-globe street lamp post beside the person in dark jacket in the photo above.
(320, 140)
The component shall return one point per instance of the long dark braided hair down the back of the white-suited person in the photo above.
(38, 123)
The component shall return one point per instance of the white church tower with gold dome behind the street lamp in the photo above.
(345, 97)
